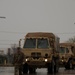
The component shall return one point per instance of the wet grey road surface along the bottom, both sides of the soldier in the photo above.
(10, 71)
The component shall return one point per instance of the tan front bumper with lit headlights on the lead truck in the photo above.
(40, 63)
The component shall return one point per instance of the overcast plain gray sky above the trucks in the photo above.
(22, 16)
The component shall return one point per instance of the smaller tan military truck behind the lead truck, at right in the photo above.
(66, 55)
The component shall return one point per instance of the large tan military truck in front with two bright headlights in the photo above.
(41, 51)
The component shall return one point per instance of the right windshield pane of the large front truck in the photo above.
(42, 43)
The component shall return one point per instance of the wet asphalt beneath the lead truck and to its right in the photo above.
(62, 71)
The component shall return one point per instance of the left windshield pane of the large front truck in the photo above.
(30, 43)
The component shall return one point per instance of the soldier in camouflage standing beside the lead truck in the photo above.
(18, 60)
